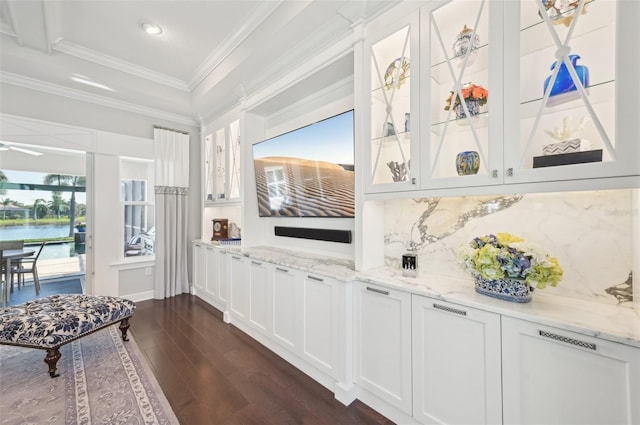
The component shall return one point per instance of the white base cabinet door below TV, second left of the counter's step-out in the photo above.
(286, 305)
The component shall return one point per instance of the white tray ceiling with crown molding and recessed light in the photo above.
(211, 52)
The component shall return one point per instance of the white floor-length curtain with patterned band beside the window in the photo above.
(171, 150)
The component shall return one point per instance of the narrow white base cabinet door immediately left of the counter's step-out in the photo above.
(318, 322)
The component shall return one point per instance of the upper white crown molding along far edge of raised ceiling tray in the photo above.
(90, 55)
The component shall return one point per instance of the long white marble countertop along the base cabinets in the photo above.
(617, 324)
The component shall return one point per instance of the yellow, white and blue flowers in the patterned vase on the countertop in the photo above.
(507, 256)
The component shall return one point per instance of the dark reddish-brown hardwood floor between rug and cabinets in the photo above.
(213, 373)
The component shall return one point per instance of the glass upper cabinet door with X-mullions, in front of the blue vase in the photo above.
(570, 90)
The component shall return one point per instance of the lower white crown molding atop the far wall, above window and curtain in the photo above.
(58, 90)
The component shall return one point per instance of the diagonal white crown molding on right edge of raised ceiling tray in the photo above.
(215, 58)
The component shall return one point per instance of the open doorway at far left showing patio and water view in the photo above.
(43, 199)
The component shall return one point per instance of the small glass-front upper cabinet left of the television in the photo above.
(222, 164)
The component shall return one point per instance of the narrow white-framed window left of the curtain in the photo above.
(138, 212)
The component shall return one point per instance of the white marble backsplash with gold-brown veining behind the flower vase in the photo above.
(593, 235)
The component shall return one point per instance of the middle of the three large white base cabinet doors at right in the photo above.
(456, 364)
